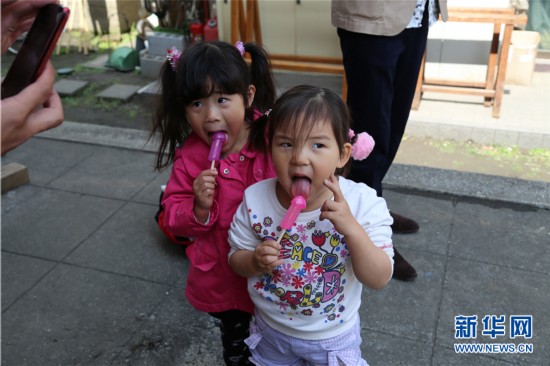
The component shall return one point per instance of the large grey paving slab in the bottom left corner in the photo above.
(77, 316)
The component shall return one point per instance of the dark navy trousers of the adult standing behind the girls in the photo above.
(381, 73)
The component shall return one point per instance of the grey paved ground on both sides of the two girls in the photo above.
(88, 279)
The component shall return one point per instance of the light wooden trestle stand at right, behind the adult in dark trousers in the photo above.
(492, 88)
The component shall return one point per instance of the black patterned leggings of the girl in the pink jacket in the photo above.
(234, 327)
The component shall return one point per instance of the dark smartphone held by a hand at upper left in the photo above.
(36, 49)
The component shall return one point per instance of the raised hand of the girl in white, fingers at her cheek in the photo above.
(337, 211)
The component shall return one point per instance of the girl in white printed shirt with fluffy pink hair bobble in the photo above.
(306, 287)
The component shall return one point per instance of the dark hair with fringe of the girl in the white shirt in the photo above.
(297, 111)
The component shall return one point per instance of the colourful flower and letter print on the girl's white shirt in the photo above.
(310, 280)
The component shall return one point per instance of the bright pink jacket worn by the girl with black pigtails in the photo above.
(212, 286)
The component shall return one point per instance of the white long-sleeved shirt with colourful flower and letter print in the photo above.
(314, 294)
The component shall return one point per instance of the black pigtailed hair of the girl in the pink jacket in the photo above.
(200, 70)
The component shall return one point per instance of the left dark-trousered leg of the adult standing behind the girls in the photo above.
(370, 62)
